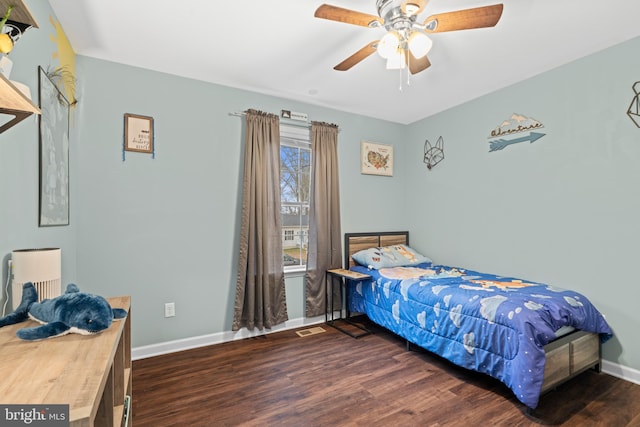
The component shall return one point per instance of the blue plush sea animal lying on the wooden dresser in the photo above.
(72, 312)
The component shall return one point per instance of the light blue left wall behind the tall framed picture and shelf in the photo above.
(19, 176)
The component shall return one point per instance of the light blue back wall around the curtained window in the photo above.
(166, 229)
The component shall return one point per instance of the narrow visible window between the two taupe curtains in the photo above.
(295, 186)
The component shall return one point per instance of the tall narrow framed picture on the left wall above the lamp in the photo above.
(54, 153)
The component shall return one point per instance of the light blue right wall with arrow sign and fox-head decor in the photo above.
(564, 209)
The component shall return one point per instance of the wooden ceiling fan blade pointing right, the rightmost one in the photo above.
(480, 17)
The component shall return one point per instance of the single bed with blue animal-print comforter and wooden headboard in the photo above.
(528, 335)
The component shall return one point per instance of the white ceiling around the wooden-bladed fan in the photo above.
(277, 47)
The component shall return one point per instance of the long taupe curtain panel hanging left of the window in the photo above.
(260, 290)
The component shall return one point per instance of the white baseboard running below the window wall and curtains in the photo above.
(217, 338)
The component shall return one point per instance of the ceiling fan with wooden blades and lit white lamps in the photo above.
(405, 42)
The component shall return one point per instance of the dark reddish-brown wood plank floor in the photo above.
(331, 379)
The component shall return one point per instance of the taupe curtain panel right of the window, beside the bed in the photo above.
(325, 247)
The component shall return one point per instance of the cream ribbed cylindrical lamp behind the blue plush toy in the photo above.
(42, 267)
